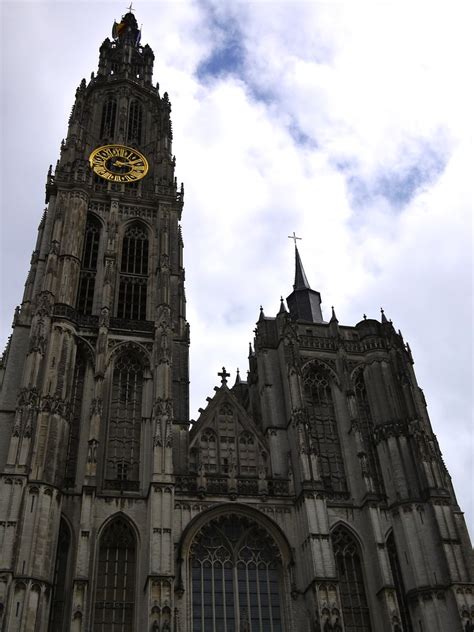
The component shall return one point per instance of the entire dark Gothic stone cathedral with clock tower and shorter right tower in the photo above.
(309, 497)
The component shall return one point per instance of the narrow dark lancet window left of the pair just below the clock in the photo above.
(90, 253)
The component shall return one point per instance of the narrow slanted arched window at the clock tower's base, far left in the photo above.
(61, 590)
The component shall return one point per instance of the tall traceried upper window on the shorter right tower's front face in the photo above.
(324, 430)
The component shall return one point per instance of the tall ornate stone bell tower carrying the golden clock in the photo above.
(95, 377)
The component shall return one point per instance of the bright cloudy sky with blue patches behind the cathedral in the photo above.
(347, 122)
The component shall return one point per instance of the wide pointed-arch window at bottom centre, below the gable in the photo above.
(236, 578)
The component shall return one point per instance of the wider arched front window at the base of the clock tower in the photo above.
(115, 579)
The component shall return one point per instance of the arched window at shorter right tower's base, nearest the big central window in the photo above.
(354, 605)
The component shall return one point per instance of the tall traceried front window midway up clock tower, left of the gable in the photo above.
(124, 428)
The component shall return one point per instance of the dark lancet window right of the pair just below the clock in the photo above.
(133, 273)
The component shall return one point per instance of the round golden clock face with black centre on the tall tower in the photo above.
(118, 163)
